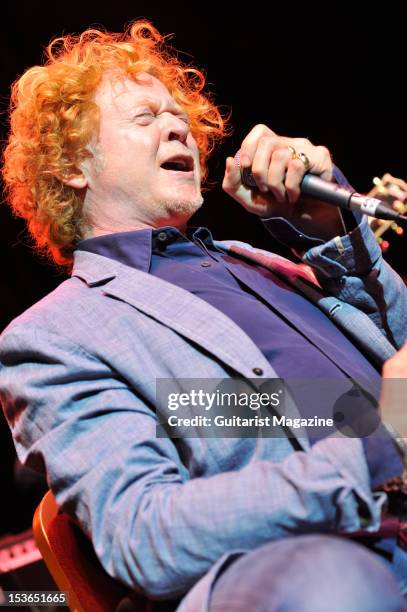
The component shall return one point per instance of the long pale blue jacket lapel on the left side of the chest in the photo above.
(176, 308)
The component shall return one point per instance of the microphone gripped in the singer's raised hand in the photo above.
(314, 186)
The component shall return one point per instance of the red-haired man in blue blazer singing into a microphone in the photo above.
(107, 152)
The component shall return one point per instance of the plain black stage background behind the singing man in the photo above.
(333, 72)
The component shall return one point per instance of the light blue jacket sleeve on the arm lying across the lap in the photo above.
(154, 527)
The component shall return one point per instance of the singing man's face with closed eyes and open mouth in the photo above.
(145, 166)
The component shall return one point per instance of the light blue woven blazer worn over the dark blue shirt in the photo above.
(78, 387)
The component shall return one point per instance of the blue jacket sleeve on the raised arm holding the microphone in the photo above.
(351, 267)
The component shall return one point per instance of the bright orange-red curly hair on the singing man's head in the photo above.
(53, 117)
